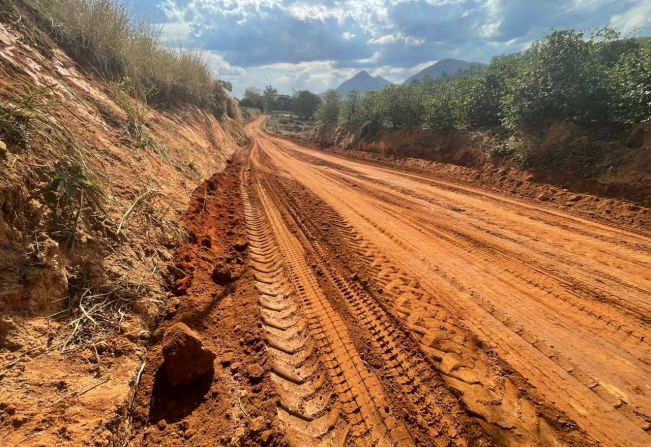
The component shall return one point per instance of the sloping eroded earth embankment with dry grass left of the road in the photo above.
(92, 188)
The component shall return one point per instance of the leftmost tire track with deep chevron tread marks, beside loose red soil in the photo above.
(308, 409)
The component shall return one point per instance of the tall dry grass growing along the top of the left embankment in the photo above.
(99, 35)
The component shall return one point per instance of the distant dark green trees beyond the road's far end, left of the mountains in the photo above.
(303, 103)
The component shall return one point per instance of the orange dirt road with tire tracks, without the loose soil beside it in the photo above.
(403, 310)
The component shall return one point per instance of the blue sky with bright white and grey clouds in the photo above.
(315, 45)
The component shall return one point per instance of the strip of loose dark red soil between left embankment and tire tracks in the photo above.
(235, 403)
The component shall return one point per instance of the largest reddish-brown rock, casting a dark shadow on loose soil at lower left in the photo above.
(186, 359)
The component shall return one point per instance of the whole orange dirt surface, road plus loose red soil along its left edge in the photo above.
(369, 306)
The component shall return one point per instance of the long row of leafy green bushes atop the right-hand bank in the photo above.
(599, 81)
